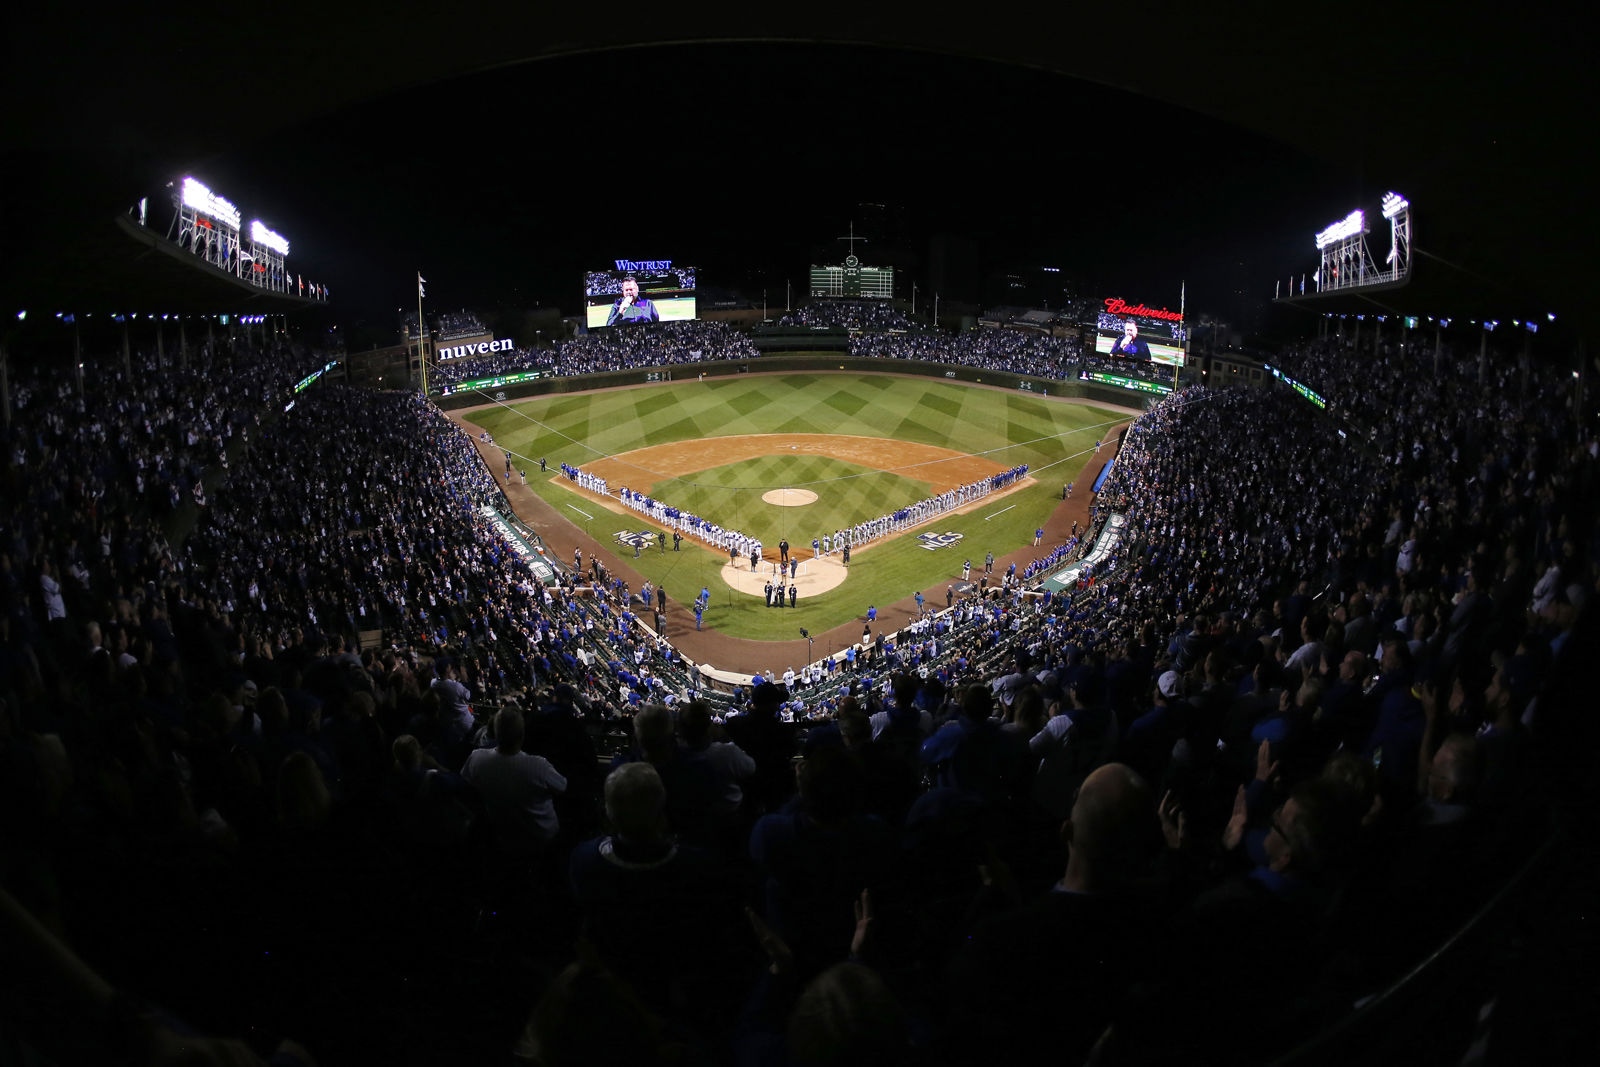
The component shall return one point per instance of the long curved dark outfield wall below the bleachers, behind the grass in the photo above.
(798, 362)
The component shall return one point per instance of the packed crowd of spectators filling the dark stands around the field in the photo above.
(1254, 765)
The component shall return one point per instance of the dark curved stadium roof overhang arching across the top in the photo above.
(1479, 121)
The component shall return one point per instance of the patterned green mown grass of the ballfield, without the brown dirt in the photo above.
(1010, 428)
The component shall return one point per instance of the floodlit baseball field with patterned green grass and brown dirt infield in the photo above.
(799, 457)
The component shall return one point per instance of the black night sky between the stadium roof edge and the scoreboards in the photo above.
(748, 161)
